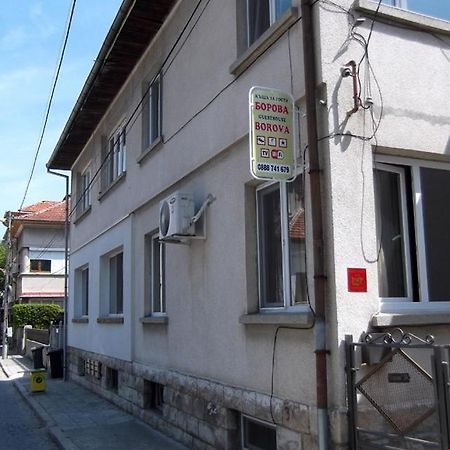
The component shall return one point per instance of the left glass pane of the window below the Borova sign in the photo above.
(270, 252)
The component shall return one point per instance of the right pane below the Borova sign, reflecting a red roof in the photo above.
(297, 256)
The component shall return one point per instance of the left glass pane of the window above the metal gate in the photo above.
(391, 265)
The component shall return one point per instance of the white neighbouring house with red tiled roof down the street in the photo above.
(38, 253)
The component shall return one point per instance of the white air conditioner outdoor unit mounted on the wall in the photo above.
(176, 214)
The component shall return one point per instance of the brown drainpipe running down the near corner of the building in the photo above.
(317, 223)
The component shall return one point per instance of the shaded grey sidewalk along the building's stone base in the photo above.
(77, 418)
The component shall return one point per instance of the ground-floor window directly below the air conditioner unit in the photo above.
(155, 274)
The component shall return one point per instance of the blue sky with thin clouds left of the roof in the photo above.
(31, 37)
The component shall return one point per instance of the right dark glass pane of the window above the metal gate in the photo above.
(436, 218)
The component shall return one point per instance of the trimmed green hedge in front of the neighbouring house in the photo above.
(38, 316)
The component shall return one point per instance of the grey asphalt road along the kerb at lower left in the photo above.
(20, 429)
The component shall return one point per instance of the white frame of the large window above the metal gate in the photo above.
(407, 304)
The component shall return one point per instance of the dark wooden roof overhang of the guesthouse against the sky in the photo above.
(136, 24)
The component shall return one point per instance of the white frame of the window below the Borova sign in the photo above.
(288, 301)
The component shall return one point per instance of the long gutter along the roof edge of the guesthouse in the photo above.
(108, 44)
